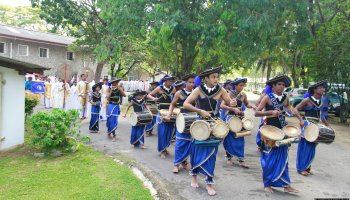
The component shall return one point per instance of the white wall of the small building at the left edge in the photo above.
(11, 108)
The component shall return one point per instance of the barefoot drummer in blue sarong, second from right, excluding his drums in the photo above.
(274, 161)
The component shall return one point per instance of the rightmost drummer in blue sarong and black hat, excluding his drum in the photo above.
(311, 105)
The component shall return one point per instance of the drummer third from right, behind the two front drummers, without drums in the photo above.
(235, 146)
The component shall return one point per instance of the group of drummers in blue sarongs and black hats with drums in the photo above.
(200, 118)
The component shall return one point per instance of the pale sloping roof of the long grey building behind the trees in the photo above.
(24, 34)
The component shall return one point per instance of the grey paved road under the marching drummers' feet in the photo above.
(331, 169)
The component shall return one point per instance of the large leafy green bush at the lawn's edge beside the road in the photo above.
(57, 130)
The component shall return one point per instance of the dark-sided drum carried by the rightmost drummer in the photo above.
(319, 133)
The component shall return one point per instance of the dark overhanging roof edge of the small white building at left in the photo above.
(20, 66)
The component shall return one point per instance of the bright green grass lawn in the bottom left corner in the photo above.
(86, 174)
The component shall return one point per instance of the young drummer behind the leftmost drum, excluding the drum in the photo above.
(137, 132)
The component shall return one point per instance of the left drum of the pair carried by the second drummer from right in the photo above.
(271, 134)
